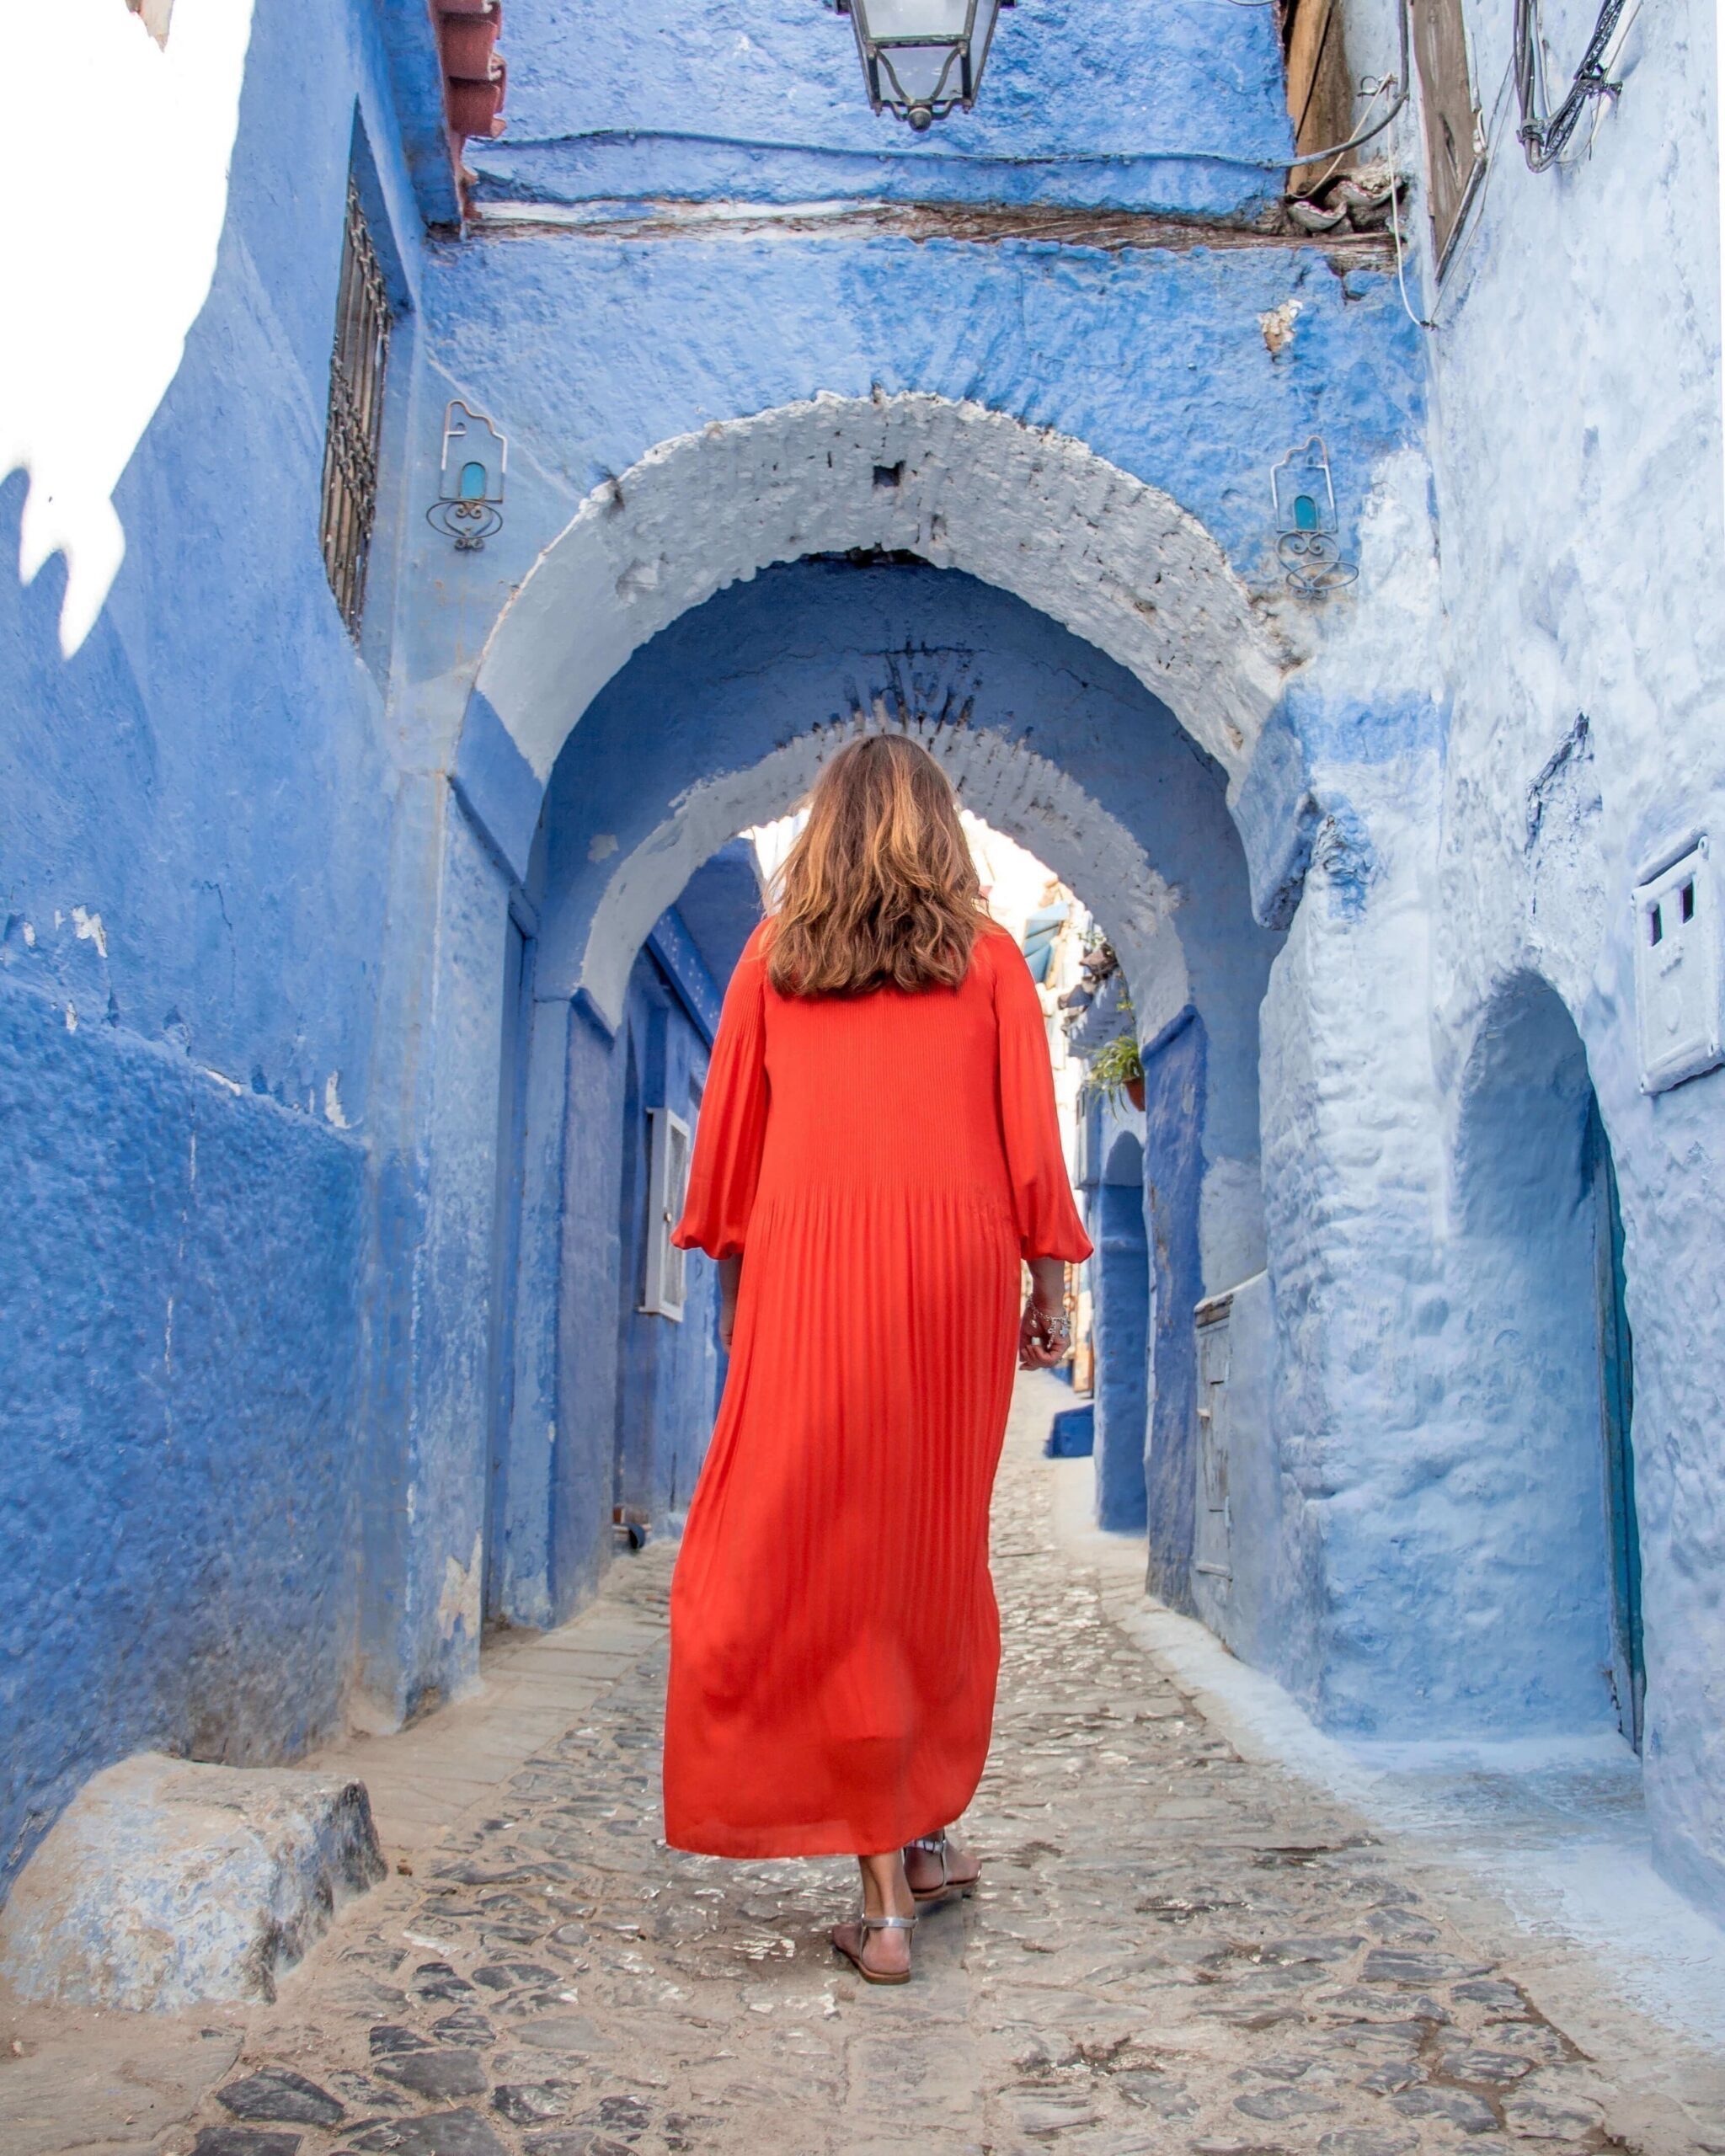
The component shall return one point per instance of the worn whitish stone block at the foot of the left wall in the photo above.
(169, 1883)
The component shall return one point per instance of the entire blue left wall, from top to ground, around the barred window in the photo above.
(193, 859)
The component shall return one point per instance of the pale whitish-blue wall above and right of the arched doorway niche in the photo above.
(1573, 303)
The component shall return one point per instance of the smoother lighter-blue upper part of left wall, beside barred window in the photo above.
(221, 672)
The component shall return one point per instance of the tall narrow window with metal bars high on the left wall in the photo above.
(357, 415)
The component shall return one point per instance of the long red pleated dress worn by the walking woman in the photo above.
(881, 1163)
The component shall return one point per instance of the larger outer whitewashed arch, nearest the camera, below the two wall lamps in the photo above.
(1025, 510)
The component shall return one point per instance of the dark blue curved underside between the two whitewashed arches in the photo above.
(810, 644)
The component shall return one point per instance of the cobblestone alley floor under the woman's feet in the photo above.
(1174, 1952)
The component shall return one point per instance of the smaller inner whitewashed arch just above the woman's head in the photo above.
(1006, 784)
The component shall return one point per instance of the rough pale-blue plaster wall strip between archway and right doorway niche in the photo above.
(1351, 1180)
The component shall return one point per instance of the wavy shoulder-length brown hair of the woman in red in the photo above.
(879, 887)
